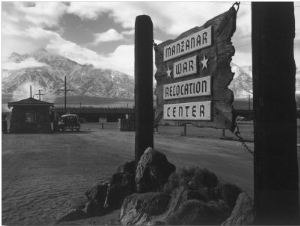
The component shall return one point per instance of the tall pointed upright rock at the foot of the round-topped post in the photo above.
(153, 171)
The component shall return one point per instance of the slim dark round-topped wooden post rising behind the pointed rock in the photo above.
(143, 85)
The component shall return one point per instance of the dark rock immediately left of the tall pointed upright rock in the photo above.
(121, 185)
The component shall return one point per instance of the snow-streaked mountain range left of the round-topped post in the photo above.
(47, 71)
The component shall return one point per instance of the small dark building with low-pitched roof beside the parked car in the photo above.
(30, 116)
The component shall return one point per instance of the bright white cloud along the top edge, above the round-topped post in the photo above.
(170, 17)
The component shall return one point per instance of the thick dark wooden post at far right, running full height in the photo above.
(276, 194)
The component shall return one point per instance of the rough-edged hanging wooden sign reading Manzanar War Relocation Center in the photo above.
(193, 74)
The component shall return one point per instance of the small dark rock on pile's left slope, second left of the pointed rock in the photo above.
(96, 196)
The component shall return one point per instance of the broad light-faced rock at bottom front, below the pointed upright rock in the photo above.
(137, 209)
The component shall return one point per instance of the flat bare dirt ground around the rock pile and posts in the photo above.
(45, 175)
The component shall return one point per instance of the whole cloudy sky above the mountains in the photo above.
(102, 33)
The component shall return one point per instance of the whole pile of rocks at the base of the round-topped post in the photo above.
(144, 197)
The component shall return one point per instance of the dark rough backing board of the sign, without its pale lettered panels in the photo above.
(219, 57)
